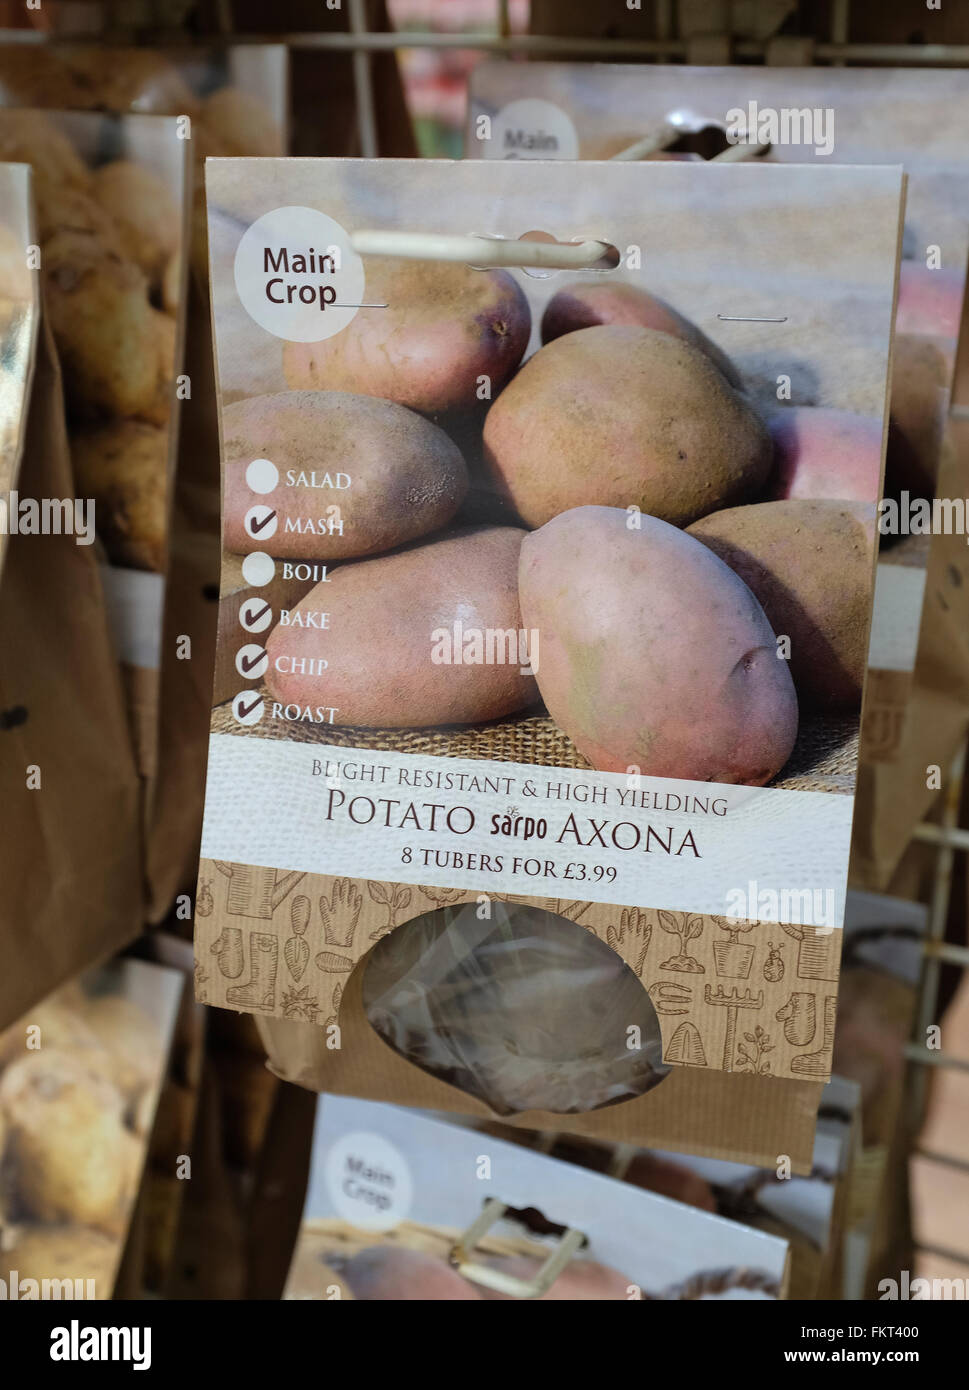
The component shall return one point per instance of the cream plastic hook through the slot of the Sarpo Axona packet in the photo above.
(484, 252)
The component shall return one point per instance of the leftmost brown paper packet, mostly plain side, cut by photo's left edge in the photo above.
(70, 856)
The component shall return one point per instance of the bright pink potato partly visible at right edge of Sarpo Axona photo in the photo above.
(821, 454)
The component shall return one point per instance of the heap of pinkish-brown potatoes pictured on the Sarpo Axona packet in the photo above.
(642, 518)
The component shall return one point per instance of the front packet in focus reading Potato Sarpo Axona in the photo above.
(384, 765)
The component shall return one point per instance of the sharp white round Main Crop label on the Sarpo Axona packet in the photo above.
(298, 276)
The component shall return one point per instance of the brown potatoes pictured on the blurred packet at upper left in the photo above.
(109, 252)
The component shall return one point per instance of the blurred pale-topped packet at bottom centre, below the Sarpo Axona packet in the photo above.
(394, 1196)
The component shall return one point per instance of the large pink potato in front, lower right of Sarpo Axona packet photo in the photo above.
(653, 653)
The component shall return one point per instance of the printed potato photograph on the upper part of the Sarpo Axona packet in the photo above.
(571, 519)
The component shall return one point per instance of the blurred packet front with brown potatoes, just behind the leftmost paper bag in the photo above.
(113, 222)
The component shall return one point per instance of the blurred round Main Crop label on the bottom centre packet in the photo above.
(369, 1181)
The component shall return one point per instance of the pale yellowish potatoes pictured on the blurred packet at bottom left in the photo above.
(77, 1097)
